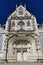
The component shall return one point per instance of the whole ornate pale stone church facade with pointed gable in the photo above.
(20, 38)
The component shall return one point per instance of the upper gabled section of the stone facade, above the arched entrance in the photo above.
(21, 14)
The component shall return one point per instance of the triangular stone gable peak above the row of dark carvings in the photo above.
(21, 11)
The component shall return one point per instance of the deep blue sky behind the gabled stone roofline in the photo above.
(33, 6)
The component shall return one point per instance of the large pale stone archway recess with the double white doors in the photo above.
(19, 48)
